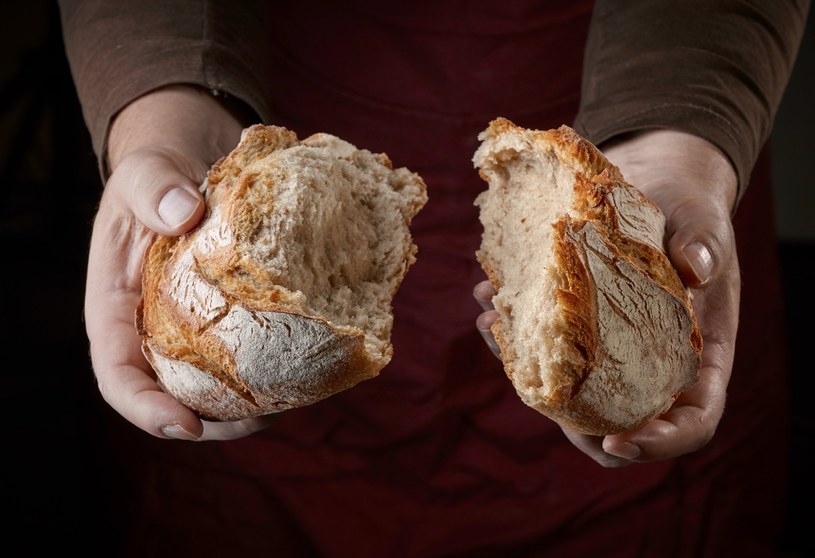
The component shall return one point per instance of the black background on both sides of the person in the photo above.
(57, 468)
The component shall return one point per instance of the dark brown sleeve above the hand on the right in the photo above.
(713, 68)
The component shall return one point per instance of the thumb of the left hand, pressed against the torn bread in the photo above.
(157, 187)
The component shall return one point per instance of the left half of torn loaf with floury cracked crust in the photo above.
(282, 295)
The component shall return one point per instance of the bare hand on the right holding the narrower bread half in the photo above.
(695, 186)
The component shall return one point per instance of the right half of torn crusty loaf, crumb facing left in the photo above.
(596, 330)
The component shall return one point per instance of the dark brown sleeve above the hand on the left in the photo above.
(118, 50)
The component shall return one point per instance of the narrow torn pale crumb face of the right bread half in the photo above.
(528, 191)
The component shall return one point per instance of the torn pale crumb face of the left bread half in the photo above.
(334, 229)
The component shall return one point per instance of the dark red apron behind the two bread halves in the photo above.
(438, 456)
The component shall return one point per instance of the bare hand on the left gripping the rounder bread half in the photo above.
(160, 149)
